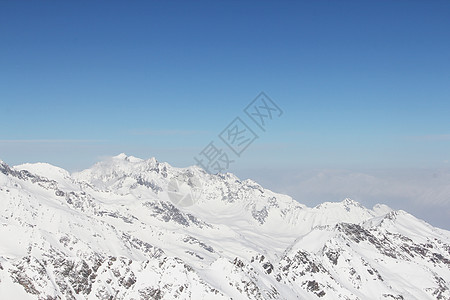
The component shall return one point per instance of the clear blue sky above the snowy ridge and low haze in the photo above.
(364, 85)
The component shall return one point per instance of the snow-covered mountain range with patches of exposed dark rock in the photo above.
(118, 231)
